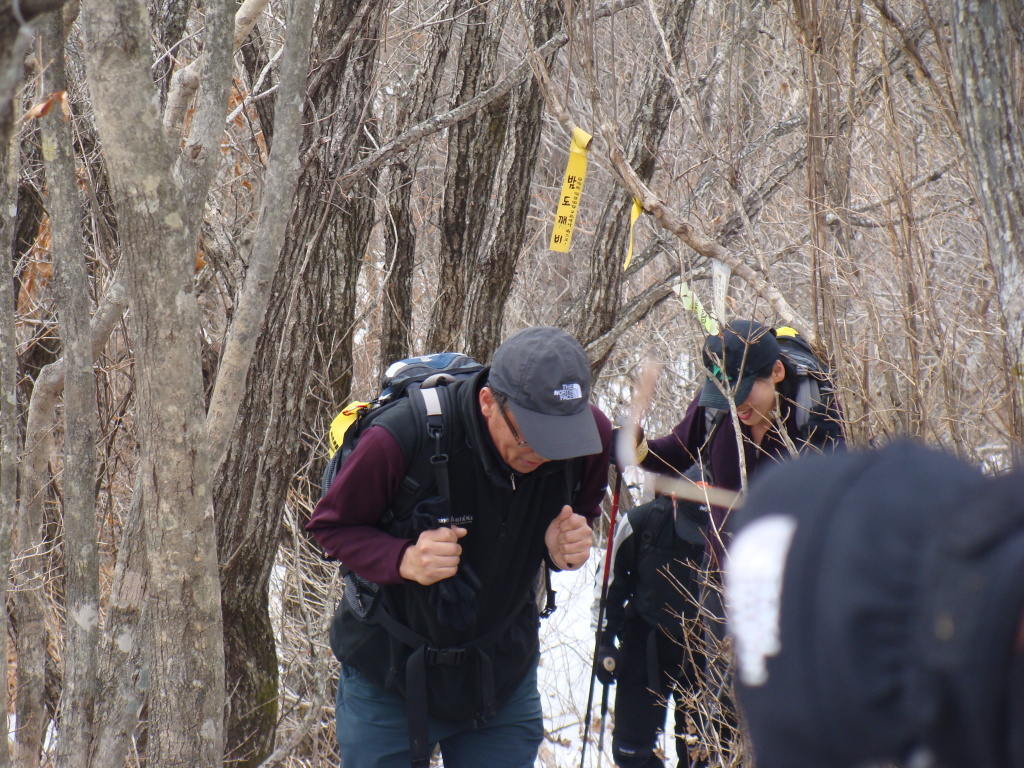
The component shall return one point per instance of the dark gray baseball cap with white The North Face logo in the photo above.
(545, 374)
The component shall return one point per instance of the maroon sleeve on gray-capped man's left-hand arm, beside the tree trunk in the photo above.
(346, 520)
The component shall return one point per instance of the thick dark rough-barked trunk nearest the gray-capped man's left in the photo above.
(323, 252)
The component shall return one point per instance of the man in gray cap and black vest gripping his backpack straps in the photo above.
(438, 634)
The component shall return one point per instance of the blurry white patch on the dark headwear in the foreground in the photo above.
(754, 576)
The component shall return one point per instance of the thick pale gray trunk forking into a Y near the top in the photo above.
(159, 209)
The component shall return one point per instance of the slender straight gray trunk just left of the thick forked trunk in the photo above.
(74, 306)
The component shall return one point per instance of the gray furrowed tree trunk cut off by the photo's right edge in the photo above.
(991, 114)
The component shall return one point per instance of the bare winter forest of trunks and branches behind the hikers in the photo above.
(223, 220)
